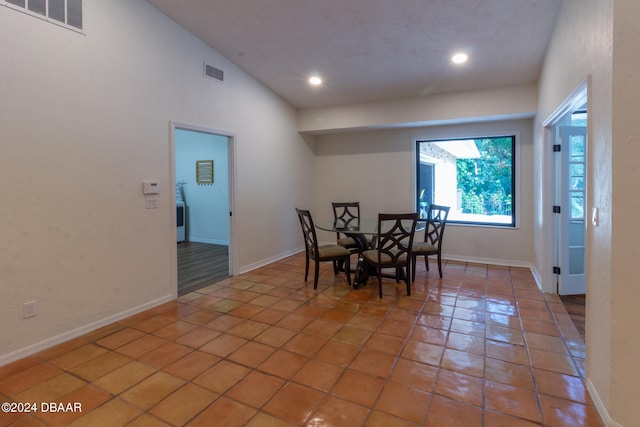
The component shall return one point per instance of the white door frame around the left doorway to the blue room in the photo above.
(231, 138)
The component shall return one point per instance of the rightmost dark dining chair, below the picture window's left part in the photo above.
(433, 238)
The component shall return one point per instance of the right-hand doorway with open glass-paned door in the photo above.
(568, 137)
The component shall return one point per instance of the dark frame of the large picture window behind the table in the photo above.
(515, 179)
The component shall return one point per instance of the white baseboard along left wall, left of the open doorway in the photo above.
(74, 333)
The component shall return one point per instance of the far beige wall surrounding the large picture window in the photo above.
(377, 169)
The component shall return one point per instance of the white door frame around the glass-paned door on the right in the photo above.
(575, 100)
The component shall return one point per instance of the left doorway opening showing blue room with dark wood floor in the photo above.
(203, 177)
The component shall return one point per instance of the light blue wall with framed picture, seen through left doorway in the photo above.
(207, 219)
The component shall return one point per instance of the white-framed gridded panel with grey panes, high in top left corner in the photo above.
(67, 13)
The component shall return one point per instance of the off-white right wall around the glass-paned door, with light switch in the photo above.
(597, 40)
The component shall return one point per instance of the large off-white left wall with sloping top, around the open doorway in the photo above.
(84, 119)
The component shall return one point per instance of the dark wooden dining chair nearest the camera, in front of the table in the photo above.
(393, 246)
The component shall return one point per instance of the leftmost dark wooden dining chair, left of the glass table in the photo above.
(321, 253)
